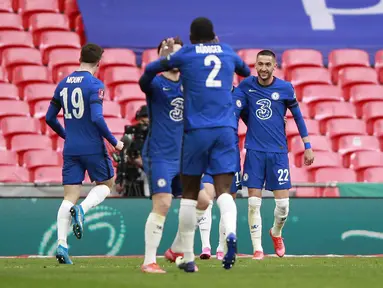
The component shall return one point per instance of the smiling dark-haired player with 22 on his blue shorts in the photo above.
(266, 147)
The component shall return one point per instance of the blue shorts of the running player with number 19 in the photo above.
(99, 167)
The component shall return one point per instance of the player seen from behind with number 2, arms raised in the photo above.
(207, 69)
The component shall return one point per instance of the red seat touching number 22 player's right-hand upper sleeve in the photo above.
(313, 94)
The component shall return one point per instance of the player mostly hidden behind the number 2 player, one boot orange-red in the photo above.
(162, 152)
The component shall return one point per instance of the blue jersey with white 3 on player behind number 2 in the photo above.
(165, 106)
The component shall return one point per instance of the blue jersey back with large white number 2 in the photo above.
(207, 72)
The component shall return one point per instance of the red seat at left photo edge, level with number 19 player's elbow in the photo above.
(19, 125)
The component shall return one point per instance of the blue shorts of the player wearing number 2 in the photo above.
(213, 148)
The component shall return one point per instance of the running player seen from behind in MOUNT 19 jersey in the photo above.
(81, 95)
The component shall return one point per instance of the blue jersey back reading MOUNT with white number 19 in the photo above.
(77, 92)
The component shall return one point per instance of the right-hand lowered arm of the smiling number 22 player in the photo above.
(298, 118)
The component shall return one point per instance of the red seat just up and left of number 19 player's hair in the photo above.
(57, 39)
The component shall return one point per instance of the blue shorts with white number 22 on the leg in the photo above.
(265, 167)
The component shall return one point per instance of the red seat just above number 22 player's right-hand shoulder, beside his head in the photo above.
(301, 77)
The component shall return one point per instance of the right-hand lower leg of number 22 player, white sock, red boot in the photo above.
(280, 215)
